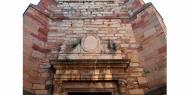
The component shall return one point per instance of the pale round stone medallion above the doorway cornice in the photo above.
(90, 43)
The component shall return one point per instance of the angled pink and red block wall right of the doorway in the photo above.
(150, 33)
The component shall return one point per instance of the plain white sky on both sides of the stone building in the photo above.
(176, 16)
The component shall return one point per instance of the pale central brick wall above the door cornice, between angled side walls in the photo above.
(78, 23)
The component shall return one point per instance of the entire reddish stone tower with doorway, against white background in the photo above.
(94, 47)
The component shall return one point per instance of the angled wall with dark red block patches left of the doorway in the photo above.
(35, 28)
